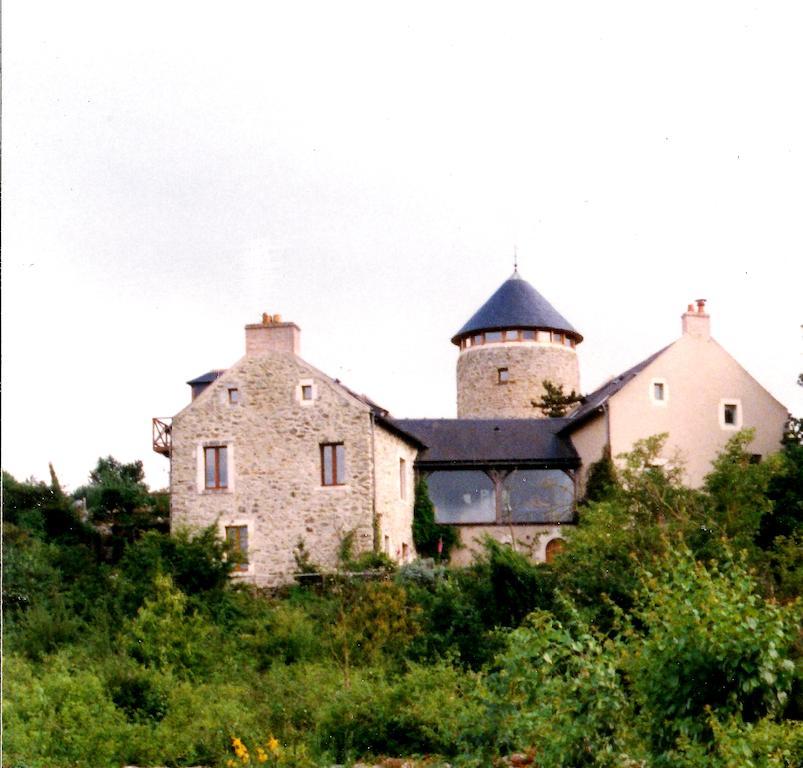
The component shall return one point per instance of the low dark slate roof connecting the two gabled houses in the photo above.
(469, 442)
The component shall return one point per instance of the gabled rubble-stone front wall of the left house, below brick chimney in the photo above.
(275, 486)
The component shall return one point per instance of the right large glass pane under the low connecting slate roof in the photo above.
(538, 496)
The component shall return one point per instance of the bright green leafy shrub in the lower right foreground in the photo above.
(712, 644)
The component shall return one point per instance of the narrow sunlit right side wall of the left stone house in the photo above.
(394, 507)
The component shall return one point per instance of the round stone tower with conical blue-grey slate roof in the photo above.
(509, 347)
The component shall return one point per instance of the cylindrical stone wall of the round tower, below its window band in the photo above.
(481, 396)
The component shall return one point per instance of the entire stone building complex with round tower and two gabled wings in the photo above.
(276, 453)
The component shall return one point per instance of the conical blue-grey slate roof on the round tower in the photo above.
(516, 304)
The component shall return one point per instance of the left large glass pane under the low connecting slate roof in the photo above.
(463, 496)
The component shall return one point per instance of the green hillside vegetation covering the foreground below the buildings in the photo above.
(666, 633)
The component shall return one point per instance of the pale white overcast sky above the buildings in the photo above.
(171, 170)
